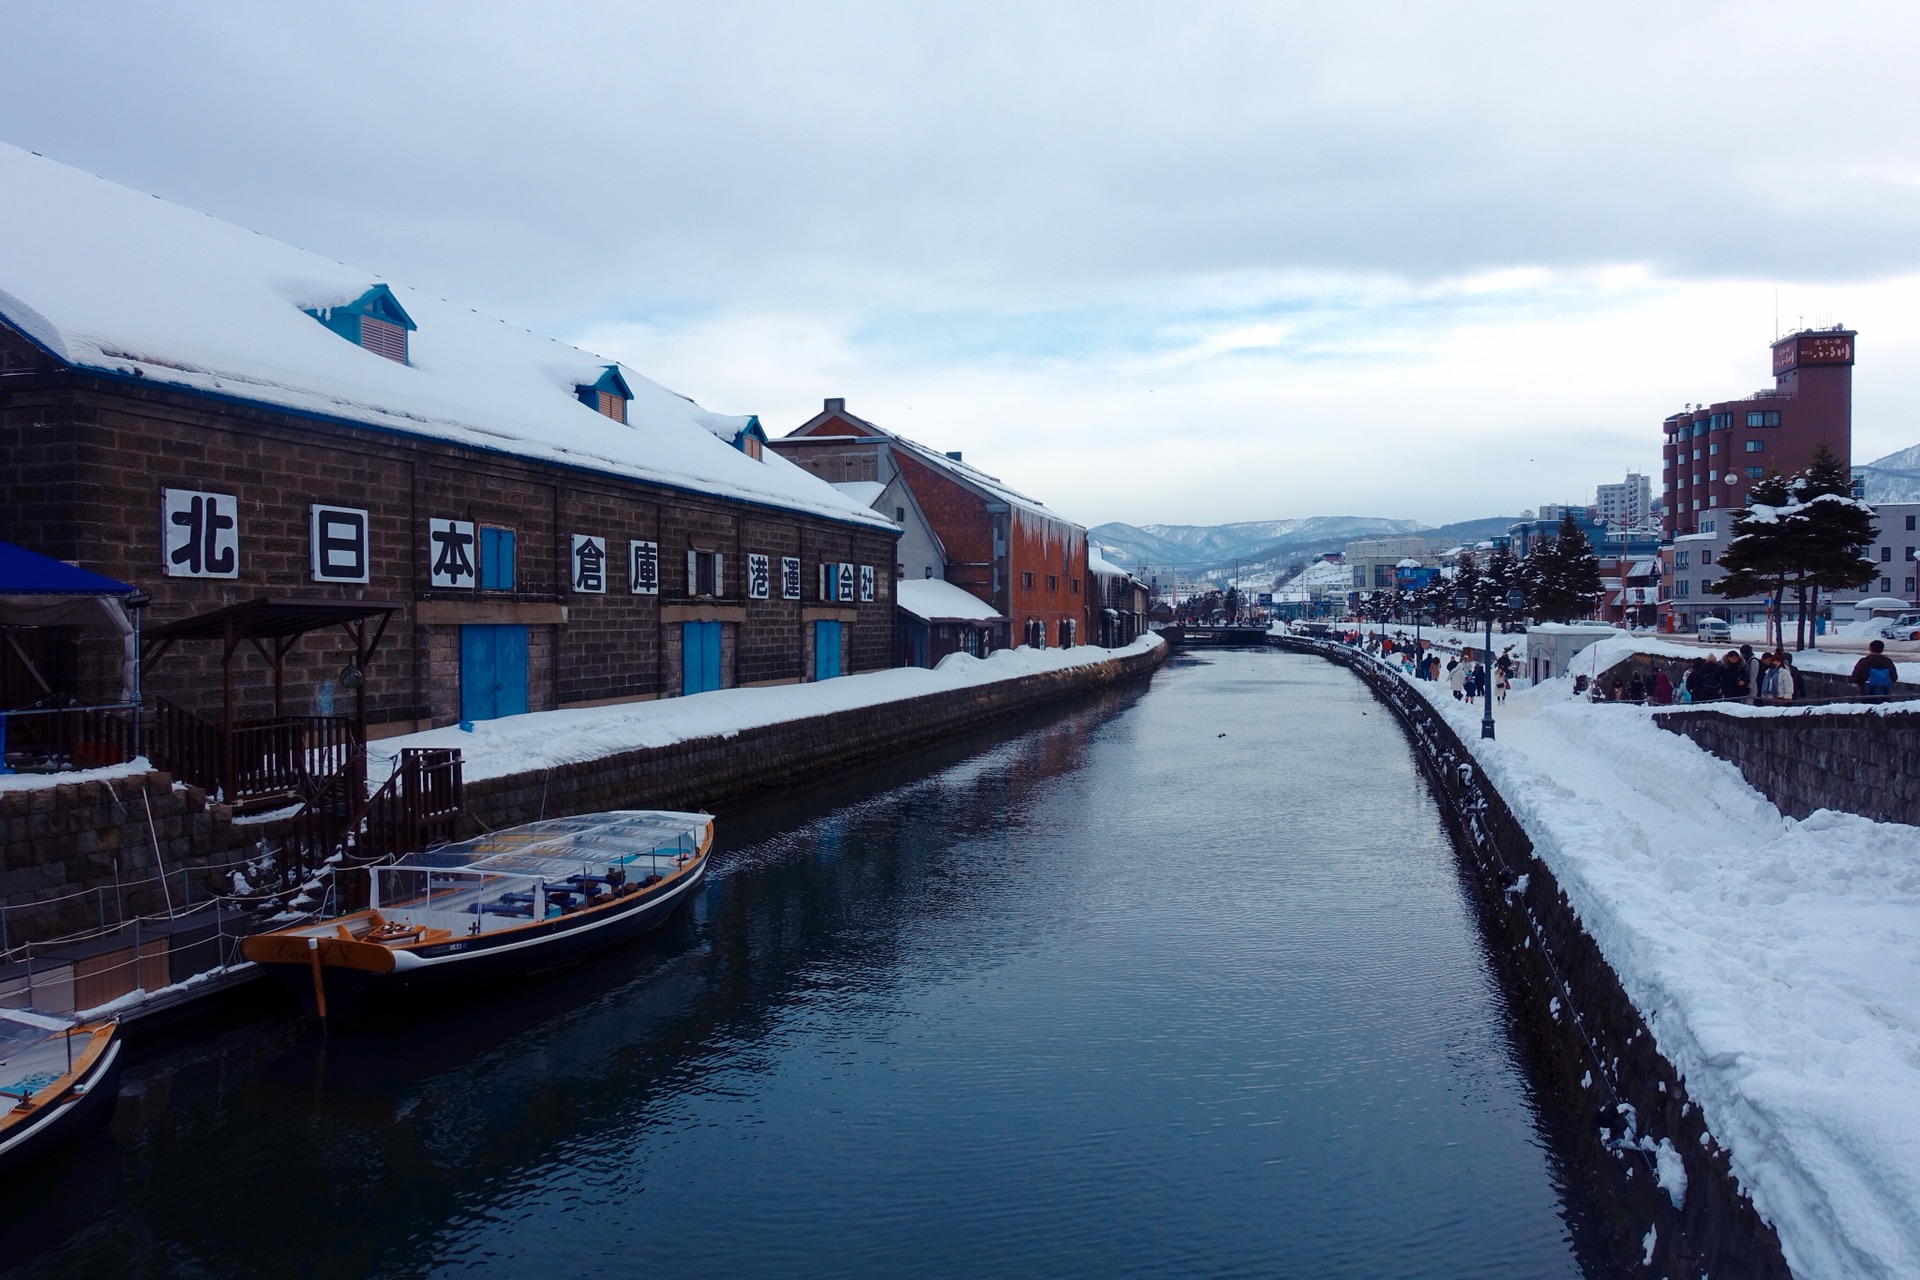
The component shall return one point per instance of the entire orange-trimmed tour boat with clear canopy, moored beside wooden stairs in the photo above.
(506, 905)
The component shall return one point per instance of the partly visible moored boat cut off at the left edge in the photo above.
(57, 1079)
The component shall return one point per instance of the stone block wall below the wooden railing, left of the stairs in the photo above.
(78, 851)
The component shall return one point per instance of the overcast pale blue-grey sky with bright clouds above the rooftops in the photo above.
(1147, 262)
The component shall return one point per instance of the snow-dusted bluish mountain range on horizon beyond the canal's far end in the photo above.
(1266, 548)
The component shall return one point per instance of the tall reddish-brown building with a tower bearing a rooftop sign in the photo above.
(1714, 454)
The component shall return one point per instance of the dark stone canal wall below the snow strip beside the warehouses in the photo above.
(702, 774)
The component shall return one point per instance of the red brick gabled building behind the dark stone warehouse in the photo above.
(996, 542)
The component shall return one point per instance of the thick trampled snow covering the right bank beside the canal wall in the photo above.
(1775, 960)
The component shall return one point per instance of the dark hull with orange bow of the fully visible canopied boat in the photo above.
(358, 976)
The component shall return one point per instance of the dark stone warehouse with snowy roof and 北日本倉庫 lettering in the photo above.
(222, 419)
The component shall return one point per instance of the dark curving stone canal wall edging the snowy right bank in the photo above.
(1600, 1060)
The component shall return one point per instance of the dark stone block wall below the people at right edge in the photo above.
(1865, 765)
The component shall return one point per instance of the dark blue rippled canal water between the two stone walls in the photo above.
(1178, 984)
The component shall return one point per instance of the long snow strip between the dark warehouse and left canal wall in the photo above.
(544, 740)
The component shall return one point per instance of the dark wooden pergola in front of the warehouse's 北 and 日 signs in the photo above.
(274, 627)
